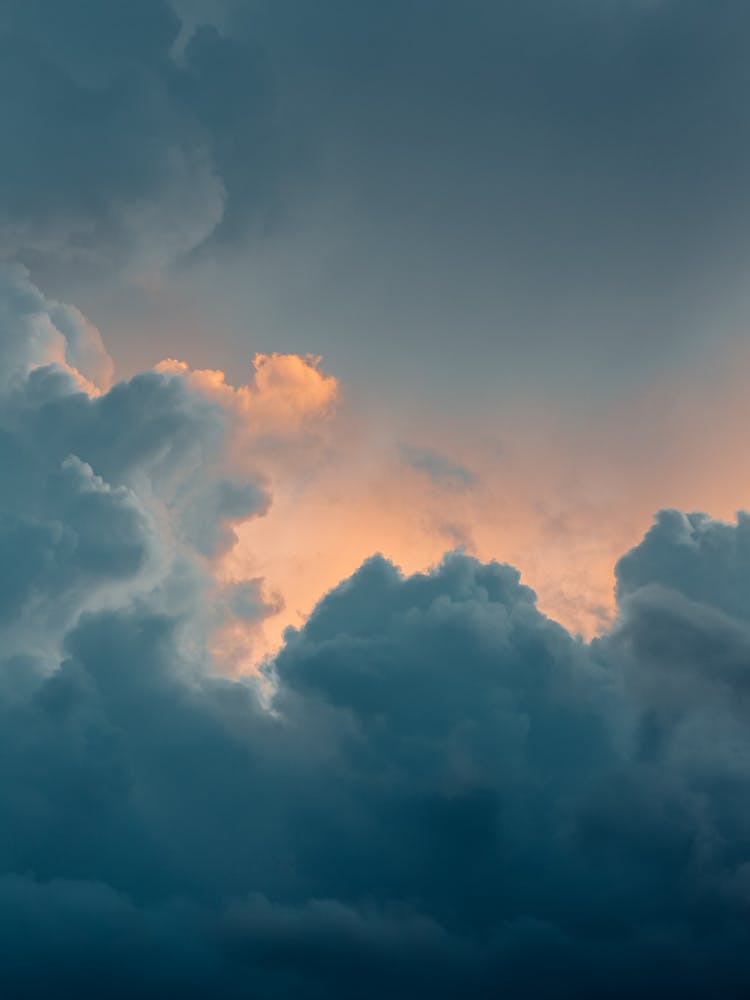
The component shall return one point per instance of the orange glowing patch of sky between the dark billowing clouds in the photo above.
(561, 499)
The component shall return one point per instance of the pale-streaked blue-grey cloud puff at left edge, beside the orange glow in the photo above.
(105, 492)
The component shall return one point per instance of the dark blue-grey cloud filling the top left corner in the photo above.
(115, 153)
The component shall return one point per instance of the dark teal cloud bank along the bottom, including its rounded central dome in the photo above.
(452, 795)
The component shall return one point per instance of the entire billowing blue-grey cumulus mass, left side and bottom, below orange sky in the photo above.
(432, 789)
